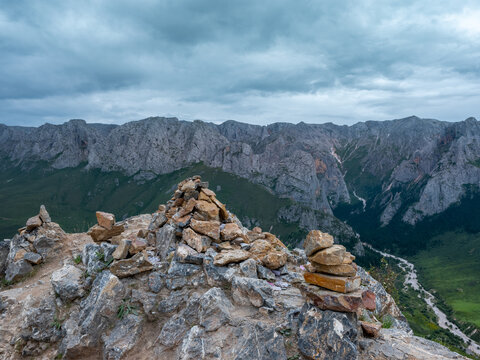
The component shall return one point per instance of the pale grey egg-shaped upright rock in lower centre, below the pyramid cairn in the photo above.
(214, 310)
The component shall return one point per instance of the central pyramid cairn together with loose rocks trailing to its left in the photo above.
(192, 222)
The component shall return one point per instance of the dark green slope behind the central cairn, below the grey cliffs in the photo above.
(73, 195)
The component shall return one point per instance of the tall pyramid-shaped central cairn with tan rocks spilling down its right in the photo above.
(194, 220)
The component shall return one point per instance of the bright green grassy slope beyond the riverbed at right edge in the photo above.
(451, 267)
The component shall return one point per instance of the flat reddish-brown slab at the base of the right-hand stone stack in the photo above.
(331, 300)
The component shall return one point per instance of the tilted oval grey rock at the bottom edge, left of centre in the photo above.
(123, 337)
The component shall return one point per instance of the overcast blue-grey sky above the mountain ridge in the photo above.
(251, 61)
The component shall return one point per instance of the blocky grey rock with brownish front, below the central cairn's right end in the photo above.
(248, 291)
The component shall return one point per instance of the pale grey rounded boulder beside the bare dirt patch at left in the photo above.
(67, 282)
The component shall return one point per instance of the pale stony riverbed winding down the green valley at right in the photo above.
(411, 279)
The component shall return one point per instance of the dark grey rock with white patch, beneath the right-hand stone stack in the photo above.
(325, 334)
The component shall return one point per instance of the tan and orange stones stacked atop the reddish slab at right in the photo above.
(331, 266)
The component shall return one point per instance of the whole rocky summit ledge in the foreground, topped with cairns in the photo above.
(190, 282)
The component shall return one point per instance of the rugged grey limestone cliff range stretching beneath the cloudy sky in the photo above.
(419, 166)
